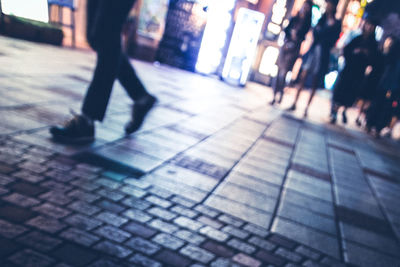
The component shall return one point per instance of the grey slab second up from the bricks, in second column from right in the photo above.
(307, 217)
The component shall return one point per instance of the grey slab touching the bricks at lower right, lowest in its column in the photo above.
(307, 236)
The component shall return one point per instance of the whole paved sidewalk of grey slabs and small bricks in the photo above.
(214, 178)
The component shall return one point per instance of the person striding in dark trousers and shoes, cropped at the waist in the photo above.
(105, 20)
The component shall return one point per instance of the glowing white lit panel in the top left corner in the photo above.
(30, 9)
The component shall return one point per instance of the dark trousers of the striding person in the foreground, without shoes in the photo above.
(105, 21)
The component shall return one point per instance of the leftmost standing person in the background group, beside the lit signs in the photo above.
(295, 33)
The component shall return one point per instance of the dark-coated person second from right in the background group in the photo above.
(360, 53)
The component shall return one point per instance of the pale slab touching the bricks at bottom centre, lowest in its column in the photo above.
(241, 211)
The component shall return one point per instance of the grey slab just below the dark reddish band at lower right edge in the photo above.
(370, 239)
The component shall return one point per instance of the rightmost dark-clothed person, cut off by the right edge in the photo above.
(385, 104)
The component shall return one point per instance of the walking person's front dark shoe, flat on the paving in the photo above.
(78, 130)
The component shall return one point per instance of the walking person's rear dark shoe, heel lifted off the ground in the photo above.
(139, 112)
